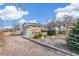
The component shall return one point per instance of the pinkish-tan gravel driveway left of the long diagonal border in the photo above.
(18, 46)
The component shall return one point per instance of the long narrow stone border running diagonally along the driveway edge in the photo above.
(53, 47)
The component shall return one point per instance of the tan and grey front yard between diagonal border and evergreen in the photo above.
(58, 41)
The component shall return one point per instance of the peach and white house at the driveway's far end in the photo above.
(30, 29)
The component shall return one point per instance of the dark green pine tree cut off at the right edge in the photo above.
(73, 38)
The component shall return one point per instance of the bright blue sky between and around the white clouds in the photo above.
(41, 12)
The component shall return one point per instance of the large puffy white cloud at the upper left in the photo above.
(12, 13)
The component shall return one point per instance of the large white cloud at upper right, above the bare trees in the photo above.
(71, 10)
